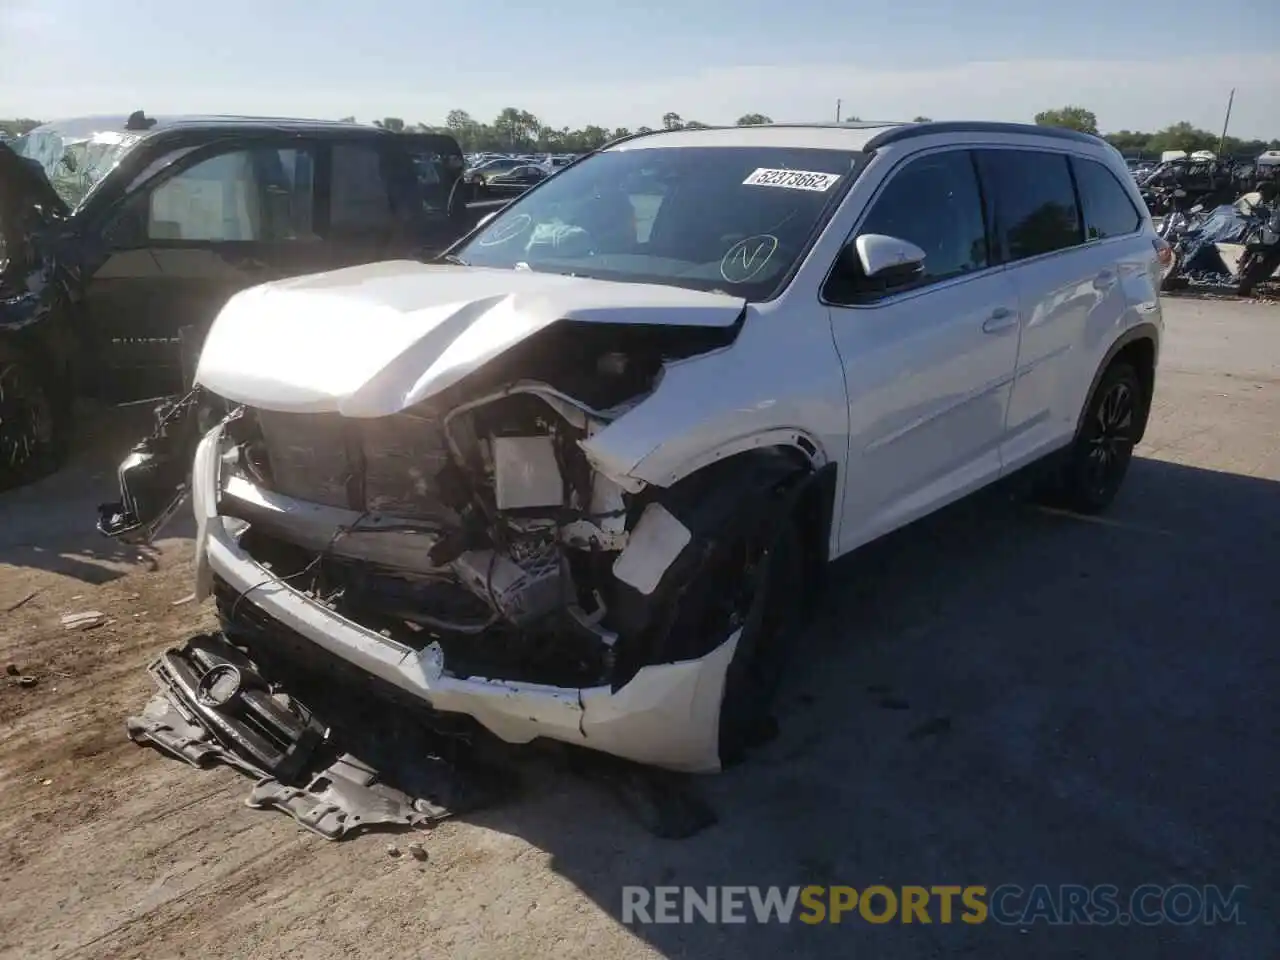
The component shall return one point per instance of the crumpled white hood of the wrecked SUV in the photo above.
(371, 341)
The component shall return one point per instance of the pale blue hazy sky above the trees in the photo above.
(1136, 63)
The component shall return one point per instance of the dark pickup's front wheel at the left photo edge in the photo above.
(34, 420)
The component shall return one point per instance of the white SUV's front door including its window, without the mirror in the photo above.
(927, 369)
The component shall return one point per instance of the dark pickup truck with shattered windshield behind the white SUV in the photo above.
(122, 237)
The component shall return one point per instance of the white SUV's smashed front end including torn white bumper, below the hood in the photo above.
(467, 550)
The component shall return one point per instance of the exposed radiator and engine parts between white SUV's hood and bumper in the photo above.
(482, 529)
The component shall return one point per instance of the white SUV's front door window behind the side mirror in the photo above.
(934, 203)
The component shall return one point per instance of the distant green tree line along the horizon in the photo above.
(519, 131)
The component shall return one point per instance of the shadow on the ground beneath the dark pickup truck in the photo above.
(49, 525)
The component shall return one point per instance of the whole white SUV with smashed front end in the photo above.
(579, 482)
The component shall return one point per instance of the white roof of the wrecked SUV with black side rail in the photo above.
(839, 136)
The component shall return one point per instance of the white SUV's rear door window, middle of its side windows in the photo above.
(1034, 202)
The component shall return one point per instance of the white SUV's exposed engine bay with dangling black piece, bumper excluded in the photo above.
(470, 528)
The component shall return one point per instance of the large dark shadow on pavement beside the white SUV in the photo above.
(995, 696)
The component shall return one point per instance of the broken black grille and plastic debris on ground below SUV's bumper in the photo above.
(372, 760)
